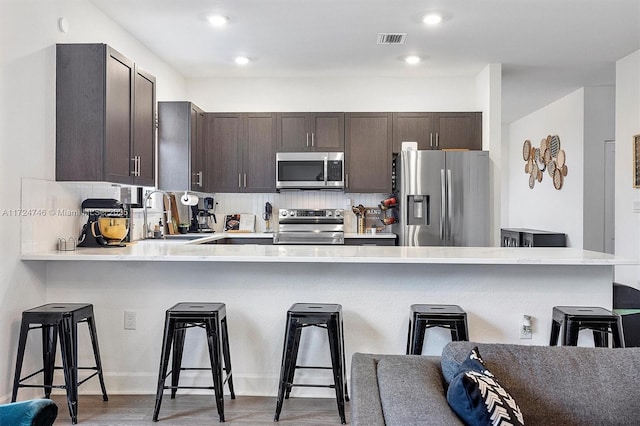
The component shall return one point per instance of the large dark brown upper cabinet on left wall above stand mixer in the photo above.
(105, 117)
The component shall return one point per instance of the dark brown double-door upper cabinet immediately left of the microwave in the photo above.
(240, 152)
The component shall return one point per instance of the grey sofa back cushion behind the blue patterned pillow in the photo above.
(561, 385)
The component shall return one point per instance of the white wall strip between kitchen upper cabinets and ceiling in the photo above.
(315, 94)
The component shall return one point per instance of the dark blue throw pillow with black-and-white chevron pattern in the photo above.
(477, 397)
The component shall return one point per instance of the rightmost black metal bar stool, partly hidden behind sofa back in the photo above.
(575, 318)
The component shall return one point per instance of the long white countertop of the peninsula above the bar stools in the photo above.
(191, 251)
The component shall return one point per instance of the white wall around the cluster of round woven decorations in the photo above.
(544, 207)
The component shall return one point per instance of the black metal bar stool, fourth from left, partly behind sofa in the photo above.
(452, 317)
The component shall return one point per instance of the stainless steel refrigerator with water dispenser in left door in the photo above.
(443, 198)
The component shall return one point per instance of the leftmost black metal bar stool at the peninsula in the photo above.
(59, 319)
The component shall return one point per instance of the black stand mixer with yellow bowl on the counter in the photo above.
(107, 223)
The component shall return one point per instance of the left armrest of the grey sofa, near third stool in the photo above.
(366, 407)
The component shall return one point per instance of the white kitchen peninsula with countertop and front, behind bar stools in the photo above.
(258, 283)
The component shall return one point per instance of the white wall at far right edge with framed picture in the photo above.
(627, 125)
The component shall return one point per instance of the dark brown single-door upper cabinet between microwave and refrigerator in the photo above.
(368, 152)
